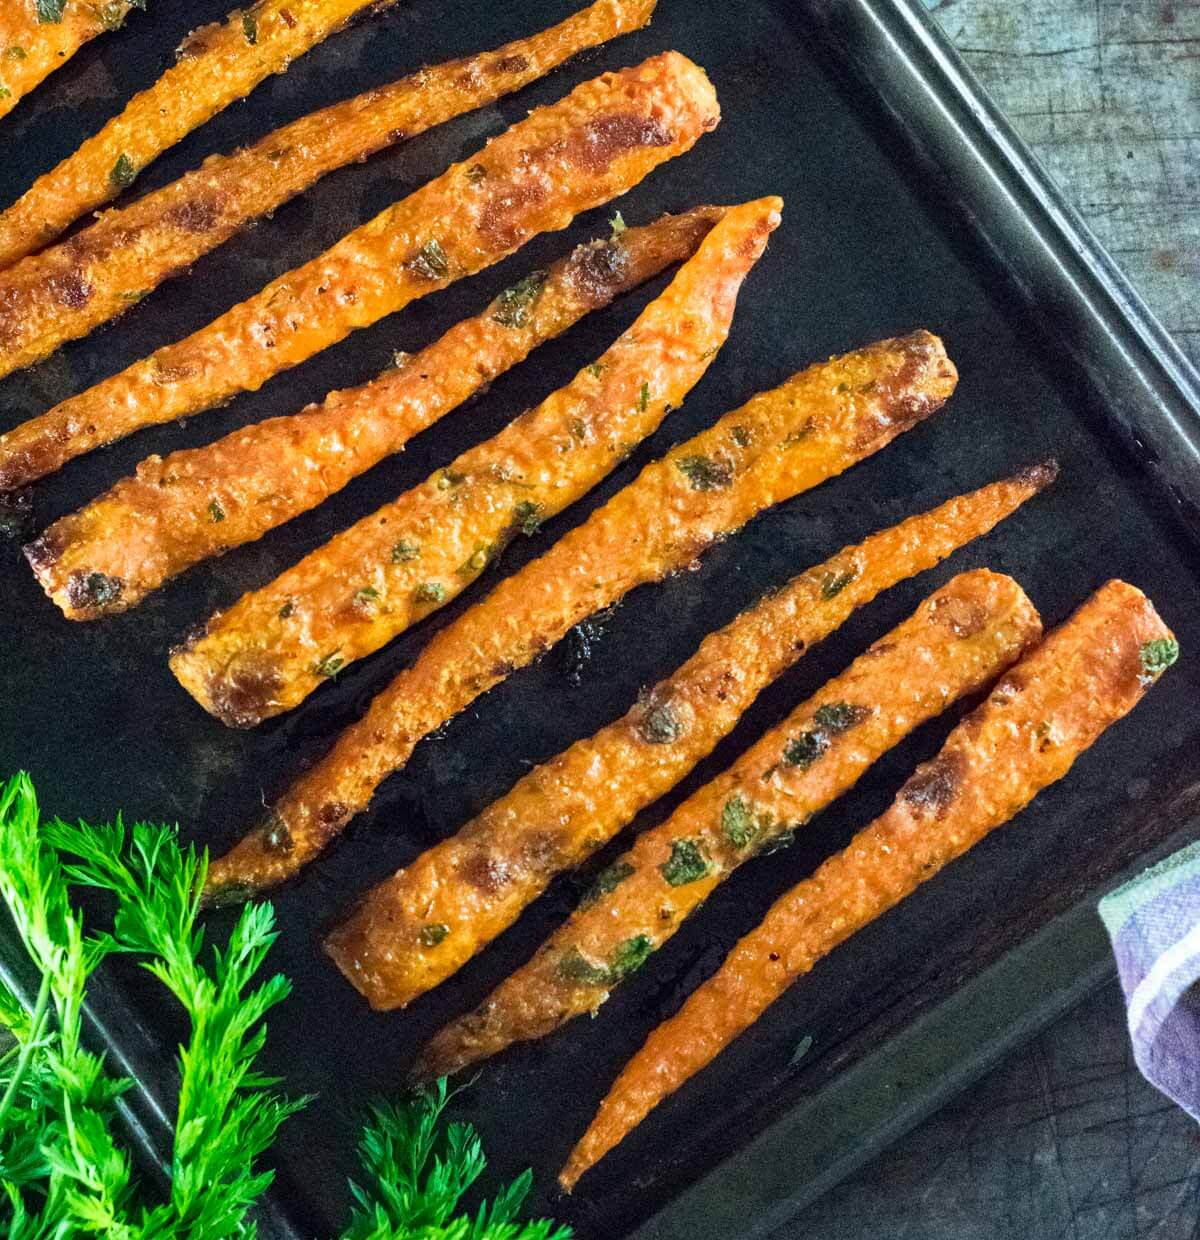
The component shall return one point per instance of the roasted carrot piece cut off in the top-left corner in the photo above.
(38, 37)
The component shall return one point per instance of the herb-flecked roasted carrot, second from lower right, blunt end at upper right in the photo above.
(958, 642)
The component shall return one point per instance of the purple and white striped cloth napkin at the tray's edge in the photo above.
(1156, 937)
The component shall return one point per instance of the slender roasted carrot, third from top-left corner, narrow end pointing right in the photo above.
(65, 292)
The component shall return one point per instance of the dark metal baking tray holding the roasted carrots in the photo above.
(909, 203)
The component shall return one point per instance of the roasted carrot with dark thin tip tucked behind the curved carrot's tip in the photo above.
(195, 504)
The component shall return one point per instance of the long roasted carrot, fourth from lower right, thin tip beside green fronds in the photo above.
(779, 445)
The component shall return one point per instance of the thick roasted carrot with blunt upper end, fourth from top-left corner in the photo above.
(580, 153)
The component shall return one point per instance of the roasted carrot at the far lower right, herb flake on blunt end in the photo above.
(1027, 735)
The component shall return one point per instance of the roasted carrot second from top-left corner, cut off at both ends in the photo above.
(216, 66)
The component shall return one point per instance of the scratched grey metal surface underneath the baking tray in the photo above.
(1067, 1141)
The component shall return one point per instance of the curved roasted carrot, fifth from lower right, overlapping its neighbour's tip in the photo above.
(370, 583)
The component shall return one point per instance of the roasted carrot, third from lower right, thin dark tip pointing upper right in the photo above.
(416, 929)
